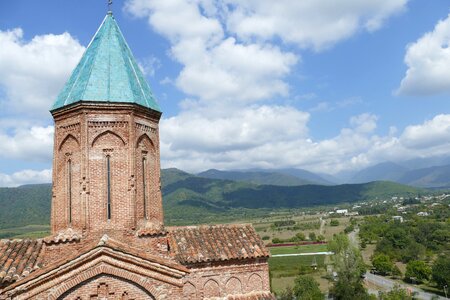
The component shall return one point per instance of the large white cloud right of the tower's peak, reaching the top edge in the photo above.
(221, 61)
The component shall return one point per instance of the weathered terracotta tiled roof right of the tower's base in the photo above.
(193, 244)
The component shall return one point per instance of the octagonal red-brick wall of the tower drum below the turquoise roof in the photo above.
(85, 137)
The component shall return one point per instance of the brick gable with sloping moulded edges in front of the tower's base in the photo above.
(107, 260)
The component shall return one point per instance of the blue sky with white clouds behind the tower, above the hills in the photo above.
(323, 85)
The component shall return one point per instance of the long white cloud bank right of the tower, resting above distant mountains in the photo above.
(194, 142)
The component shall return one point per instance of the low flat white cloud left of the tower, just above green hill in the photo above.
(25, 177)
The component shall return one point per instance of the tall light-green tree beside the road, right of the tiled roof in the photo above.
(349, 267)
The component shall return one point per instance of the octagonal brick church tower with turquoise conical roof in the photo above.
(106, 166)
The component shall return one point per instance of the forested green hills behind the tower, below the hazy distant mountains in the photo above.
(189, 199)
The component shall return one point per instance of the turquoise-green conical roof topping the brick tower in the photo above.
(107, 72)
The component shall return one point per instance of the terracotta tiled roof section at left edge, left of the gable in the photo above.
(18, 258)
